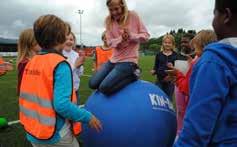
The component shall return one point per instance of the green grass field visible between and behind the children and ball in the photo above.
(14, 136)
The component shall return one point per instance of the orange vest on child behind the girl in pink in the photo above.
(102, 56)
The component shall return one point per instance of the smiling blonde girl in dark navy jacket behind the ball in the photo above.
(167, 55)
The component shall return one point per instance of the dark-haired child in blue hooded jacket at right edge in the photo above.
(210, 117)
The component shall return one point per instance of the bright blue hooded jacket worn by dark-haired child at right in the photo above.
(211, 116)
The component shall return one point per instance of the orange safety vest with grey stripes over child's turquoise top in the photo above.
(37, 114)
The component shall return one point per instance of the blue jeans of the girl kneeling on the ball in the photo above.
(113, 77)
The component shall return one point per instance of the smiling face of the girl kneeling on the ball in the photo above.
(116, 10)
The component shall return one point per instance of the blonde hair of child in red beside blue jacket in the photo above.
(203, 38)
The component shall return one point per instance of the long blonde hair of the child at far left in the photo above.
(25, 43)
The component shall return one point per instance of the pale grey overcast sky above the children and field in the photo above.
(159, 16)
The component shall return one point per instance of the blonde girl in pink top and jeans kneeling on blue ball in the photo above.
(124, 33)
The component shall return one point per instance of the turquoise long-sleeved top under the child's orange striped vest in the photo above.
(62, 104)
